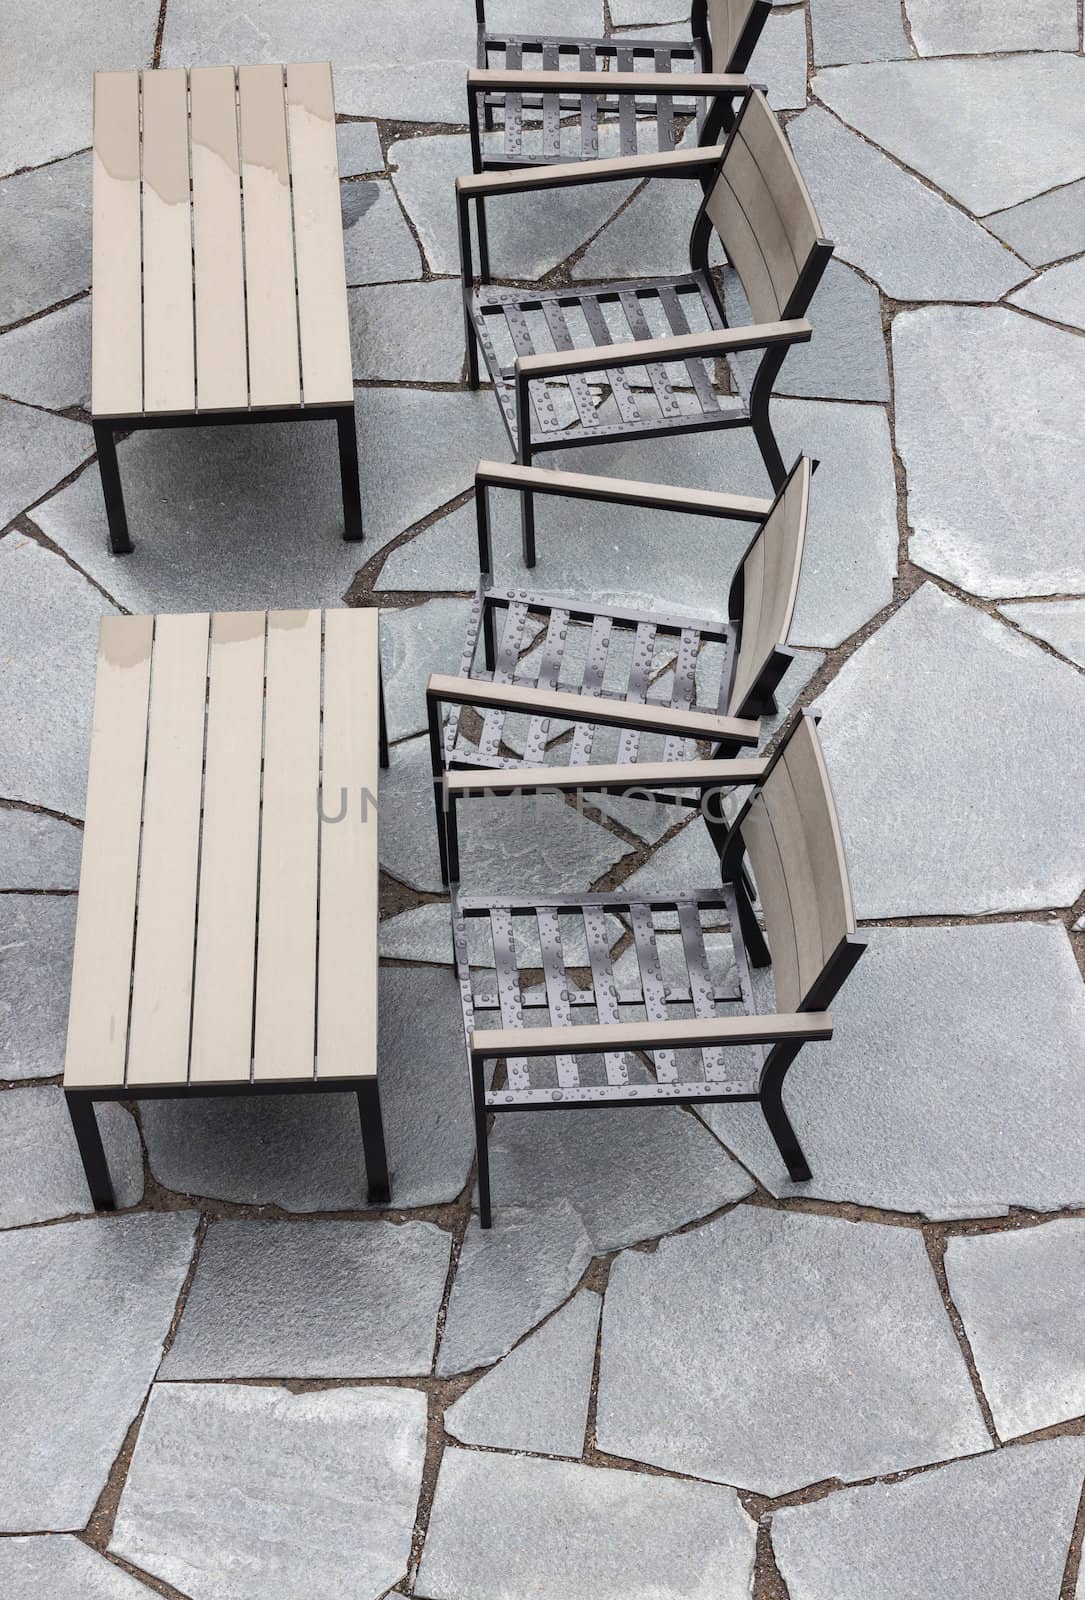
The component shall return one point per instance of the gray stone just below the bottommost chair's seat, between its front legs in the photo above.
(630, 1174)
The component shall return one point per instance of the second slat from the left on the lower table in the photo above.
(170, 850)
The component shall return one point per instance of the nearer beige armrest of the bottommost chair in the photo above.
(603, 1038)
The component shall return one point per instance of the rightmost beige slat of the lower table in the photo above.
(348, 966)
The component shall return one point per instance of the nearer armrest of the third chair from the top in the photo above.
(590, 708)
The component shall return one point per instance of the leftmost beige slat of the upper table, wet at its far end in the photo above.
(116, 268)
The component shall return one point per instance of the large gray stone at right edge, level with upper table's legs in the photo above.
(985, 406)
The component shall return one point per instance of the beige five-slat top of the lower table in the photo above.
(226, 919)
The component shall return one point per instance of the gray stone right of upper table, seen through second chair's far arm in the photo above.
(529, 234)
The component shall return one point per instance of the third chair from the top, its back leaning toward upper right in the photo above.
(548, 662)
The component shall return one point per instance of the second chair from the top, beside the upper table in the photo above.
(638, 359)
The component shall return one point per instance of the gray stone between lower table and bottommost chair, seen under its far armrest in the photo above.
(505, 846)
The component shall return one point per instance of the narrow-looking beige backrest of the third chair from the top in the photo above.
(763, 599)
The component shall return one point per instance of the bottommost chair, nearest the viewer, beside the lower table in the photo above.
(622, 1034)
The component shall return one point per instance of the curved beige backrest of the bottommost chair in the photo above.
(793, 841)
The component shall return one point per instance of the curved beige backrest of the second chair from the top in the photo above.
(764, 215)
